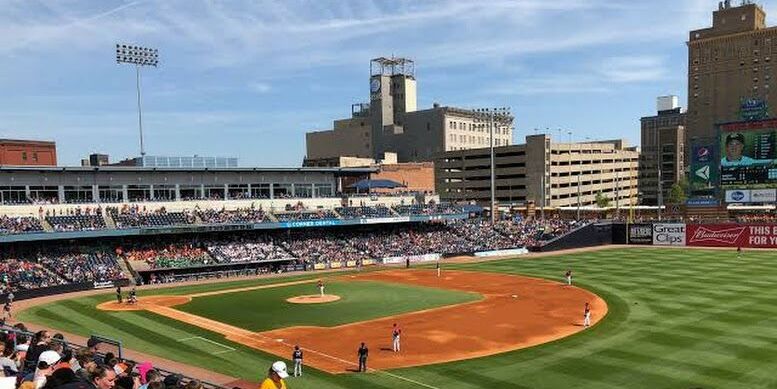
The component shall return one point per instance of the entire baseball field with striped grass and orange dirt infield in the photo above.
(675, 318)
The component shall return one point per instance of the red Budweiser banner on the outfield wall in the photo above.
(732, 235)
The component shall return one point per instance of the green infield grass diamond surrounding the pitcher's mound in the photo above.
(267, 309)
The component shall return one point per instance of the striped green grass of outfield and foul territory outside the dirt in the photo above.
(677, 319)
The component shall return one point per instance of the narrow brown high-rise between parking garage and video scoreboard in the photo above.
(662, 157)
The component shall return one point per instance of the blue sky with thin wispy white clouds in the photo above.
(249, 78)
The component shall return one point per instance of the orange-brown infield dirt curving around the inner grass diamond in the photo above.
(542, 311)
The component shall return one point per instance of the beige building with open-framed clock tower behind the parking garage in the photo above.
(391, 122)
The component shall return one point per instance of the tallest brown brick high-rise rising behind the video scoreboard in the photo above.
(728, 63)
